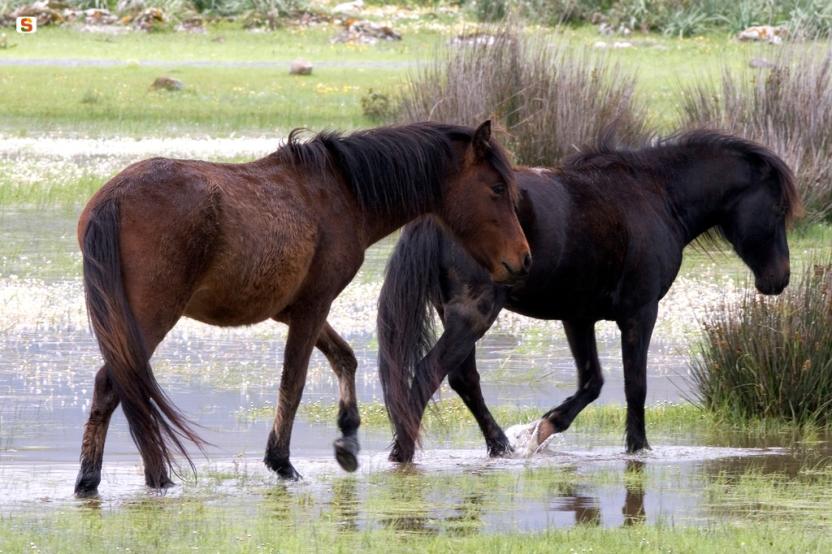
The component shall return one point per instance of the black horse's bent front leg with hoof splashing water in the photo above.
(581, 337)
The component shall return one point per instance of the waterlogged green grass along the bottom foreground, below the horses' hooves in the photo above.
(438, 512)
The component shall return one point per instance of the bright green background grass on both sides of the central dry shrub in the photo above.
(221, 100)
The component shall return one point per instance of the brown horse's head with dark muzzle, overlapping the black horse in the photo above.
(479, 208)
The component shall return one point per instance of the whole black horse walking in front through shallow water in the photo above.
(607, 229)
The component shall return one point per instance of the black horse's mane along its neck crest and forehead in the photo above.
(679, 147)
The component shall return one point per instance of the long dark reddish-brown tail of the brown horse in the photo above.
(156, 425)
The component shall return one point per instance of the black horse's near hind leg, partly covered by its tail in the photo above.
(466, 318)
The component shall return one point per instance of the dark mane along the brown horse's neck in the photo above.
(390, 168)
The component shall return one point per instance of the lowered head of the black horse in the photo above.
(755, 221)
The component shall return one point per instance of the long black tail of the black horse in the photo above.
(405, 319)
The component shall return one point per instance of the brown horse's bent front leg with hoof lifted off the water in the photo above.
(343, 362)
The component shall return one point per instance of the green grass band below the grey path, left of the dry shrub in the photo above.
(216, 100)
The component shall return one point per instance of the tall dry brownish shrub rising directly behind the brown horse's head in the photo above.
(548, 98)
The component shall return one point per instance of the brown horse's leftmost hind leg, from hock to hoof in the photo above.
(104, 402)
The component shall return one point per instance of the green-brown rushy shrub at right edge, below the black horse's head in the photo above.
(771, 357)
